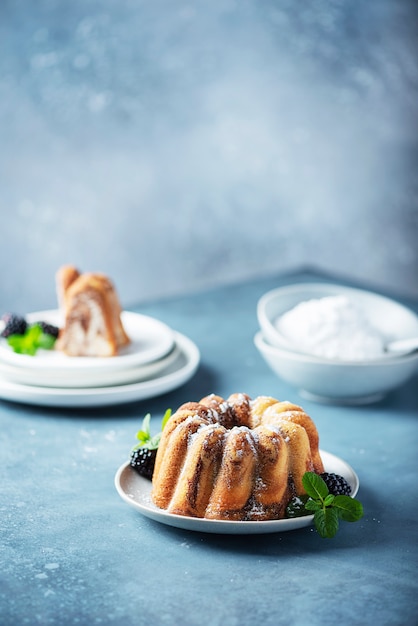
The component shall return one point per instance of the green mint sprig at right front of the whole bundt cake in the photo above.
(327, 508)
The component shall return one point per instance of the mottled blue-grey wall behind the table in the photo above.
(177, 145)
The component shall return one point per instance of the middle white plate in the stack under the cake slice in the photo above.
(82, 378)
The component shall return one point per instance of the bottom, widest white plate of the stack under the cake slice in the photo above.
(175, 375)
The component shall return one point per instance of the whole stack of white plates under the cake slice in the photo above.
(157, 360)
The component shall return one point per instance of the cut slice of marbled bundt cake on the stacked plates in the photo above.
(92, 314)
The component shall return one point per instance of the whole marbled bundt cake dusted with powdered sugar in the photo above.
(234, 459)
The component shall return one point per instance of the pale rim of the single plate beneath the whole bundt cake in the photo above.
(196, 524)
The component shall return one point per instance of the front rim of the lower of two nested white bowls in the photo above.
(262, 344)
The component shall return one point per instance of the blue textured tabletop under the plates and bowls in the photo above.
(72, 552)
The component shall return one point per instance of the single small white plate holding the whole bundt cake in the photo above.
(136, 491)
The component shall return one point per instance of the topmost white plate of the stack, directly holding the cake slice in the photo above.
(150, 340)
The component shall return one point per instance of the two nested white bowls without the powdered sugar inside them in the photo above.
(337, 380)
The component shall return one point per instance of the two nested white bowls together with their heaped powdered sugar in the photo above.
(329, 341)
